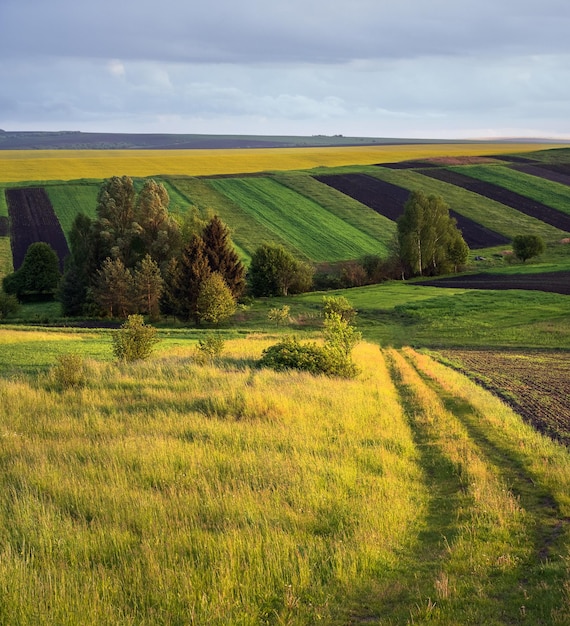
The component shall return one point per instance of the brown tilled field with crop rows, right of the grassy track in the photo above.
(535, 384)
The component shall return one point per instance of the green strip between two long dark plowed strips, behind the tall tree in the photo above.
(488, 213)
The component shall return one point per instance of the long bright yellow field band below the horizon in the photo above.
(44, 165)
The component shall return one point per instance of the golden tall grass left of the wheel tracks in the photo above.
(167, 492)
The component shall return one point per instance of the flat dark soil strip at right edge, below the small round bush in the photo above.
(553, 282)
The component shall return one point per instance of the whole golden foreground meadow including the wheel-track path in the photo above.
(169, 492)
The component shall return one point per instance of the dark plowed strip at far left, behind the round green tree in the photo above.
(33, 219)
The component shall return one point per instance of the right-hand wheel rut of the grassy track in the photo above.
(545, 570)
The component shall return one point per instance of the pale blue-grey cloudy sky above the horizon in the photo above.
(376, 68)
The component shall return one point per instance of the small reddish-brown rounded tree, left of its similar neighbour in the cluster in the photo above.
(113, 289)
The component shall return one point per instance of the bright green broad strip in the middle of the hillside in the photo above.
(307, 226)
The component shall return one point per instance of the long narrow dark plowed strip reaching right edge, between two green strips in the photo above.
(514, 200)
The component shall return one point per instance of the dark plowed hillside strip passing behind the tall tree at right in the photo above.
(389, 200)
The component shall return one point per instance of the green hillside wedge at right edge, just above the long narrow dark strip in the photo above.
(549, 193)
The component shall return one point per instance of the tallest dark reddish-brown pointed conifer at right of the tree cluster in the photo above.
(222, 256)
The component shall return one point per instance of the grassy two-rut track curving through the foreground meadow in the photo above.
(492, 540)
